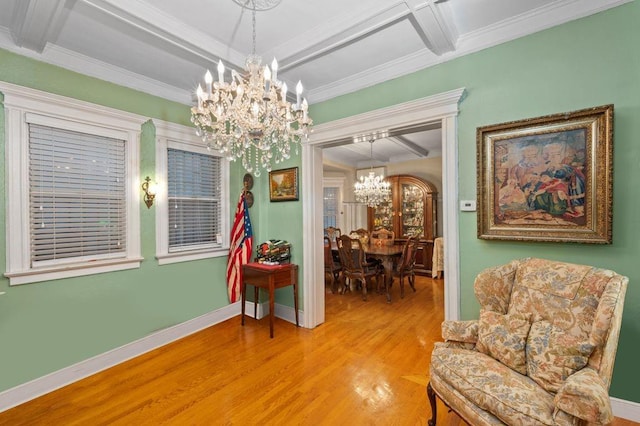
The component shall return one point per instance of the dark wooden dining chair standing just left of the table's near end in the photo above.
(354, 266)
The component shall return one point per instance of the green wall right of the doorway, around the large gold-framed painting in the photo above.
(589, 62)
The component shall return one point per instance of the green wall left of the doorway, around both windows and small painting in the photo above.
(51, 325)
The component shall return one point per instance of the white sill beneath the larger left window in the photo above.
(73, 270)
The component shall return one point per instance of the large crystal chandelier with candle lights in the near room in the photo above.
(248, 118)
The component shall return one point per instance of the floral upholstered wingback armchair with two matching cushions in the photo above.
(542, 351)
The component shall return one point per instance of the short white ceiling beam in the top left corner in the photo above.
(37, 22)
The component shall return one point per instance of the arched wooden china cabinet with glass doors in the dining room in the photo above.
(410, 212)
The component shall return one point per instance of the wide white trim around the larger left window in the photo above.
(23, 103)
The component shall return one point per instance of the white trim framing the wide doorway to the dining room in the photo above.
(441, 108)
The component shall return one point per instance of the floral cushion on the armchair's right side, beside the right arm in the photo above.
(553, 355)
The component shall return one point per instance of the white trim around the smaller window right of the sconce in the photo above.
(171, 135)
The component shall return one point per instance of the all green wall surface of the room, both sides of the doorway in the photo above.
(593, 61)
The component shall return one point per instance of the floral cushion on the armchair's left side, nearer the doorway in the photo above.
(504, 338)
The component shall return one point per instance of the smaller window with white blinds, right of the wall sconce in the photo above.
(194, 200)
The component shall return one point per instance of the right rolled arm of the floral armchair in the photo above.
(584, 395)
